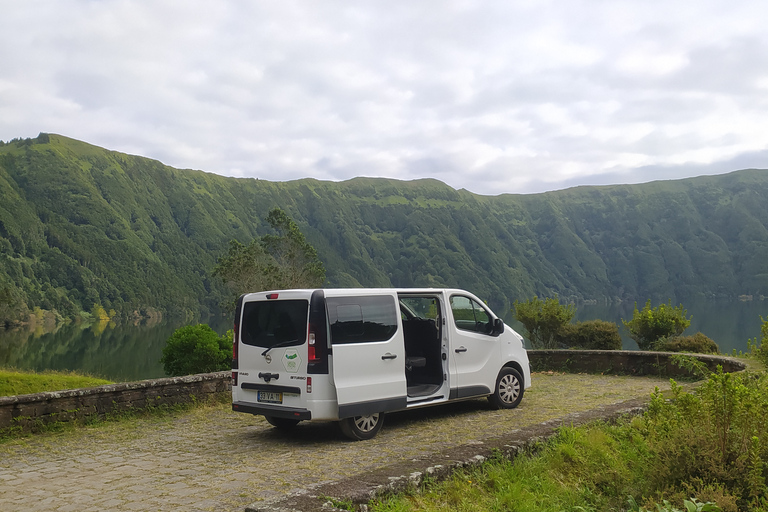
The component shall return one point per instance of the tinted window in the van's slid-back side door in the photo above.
(362, 319)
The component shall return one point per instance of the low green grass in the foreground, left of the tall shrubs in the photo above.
(564, 474)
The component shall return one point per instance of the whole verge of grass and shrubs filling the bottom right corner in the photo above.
(683, 448)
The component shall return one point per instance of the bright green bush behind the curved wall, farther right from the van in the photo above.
(652, 324)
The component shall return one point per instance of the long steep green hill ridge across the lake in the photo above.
(81, 225)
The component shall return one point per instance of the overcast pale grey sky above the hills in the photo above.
(513, 96)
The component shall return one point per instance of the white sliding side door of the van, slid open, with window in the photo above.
(368, 354)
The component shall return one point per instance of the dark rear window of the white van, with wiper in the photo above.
(269, 323)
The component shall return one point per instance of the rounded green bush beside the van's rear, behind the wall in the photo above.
(196, 349)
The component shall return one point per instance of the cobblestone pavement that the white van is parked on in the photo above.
(212, 459)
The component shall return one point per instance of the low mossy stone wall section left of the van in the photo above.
(28, 413)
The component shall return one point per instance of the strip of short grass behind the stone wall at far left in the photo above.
(16, 382)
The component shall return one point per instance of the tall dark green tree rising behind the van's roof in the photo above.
(275, 261)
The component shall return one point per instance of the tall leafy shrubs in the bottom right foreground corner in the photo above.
(717, 435)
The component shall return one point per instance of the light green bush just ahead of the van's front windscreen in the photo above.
(543, 320)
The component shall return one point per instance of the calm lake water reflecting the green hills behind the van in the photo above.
(131, 352)
